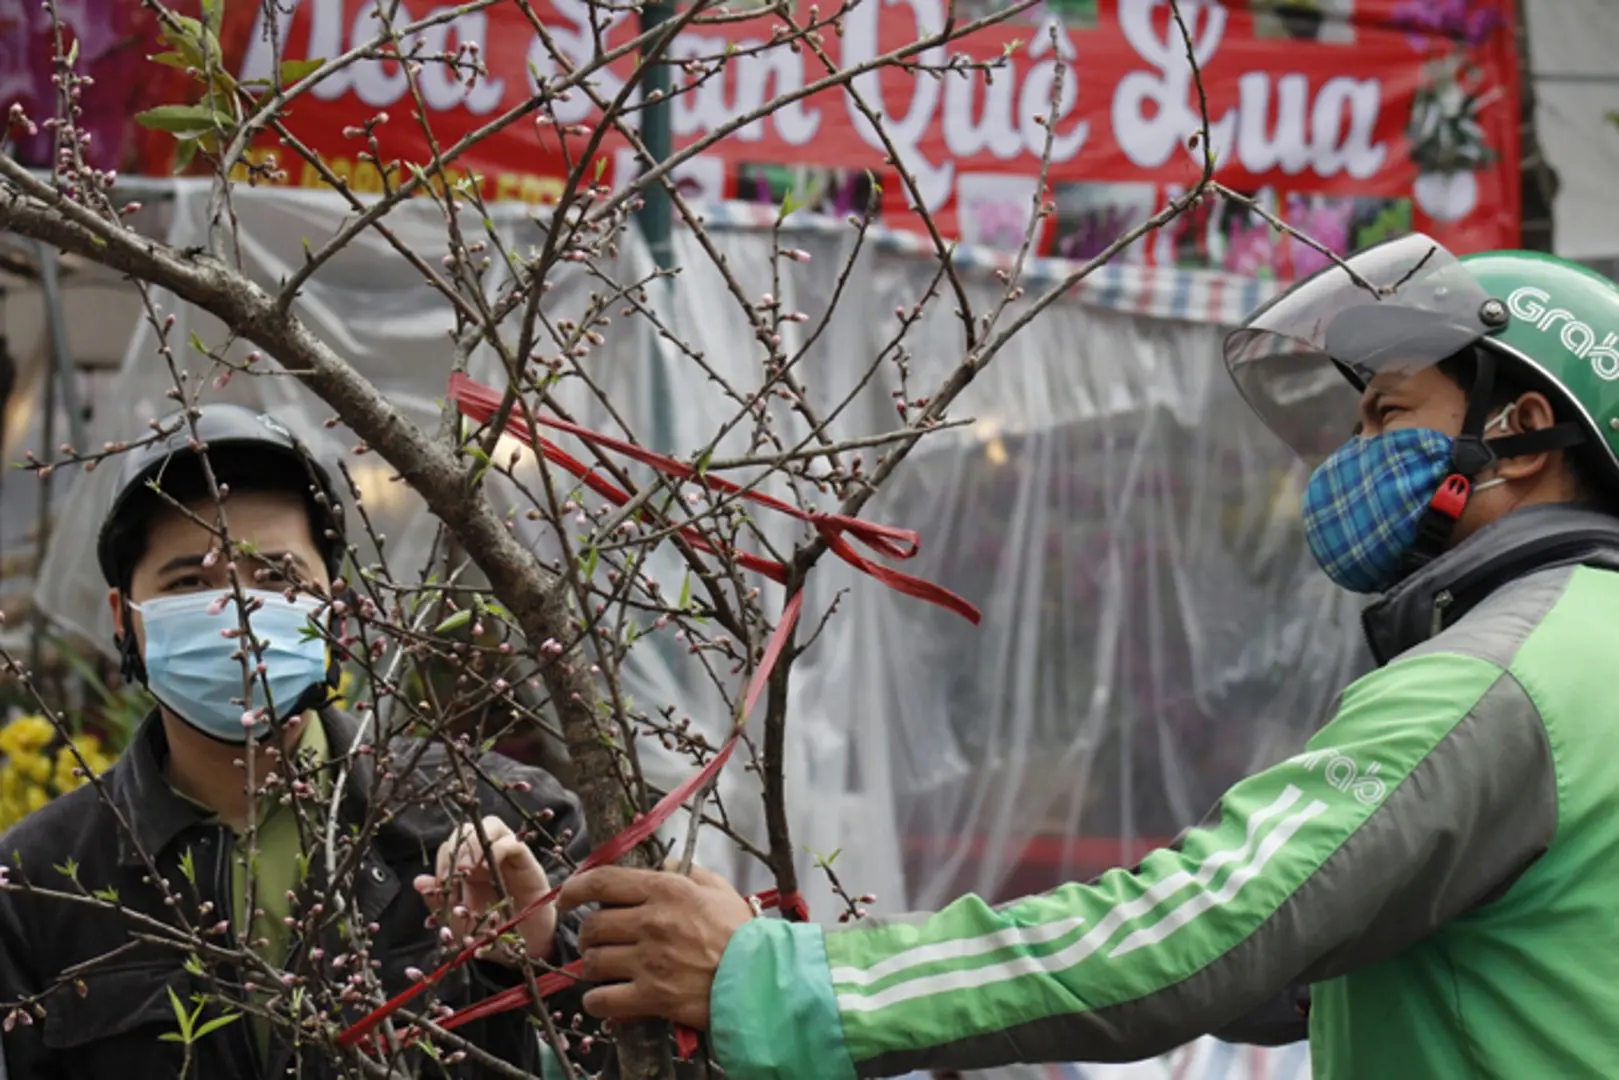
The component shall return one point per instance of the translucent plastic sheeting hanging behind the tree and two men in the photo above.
(1154, 624)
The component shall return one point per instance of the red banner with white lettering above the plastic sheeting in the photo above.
(1349, 119)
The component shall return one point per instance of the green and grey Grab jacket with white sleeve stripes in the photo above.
(1442, 865)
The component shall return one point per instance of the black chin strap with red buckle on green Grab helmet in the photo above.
(1471, 456)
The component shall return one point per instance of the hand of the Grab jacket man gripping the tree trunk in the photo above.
(657, 942)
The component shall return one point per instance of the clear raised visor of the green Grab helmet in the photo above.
(1304, 360)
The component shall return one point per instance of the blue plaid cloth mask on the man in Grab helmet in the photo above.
(1364, 504)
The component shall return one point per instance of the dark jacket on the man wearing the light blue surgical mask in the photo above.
(106, 993)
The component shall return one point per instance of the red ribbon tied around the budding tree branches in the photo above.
(482, 404)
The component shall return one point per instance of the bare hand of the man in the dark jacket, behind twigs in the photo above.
(464, 882)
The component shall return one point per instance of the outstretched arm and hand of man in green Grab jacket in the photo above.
(1430, 789)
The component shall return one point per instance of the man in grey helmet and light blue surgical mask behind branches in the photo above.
(250, 862)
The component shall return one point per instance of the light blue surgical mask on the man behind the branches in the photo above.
(190, 663)
